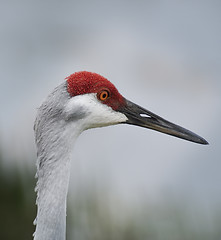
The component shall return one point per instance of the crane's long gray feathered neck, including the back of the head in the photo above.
(54, 139)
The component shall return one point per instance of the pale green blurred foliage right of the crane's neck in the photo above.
(92, 218)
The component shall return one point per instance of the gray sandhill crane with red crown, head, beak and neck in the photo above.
(85, 100)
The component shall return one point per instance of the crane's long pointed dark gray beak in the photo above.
(141, 117)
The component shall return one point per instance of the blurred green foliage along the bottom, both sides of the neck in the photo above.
(92, 217)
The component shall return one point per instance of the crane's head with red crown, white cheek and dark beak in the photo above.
(95, 102)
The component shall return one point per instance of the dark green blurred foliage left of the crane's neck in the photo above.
(17, 204)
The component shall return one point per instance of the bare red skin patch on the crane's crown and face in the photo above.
(87, 82)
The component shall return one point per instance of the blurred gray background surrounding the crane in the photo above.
(163, 55)
